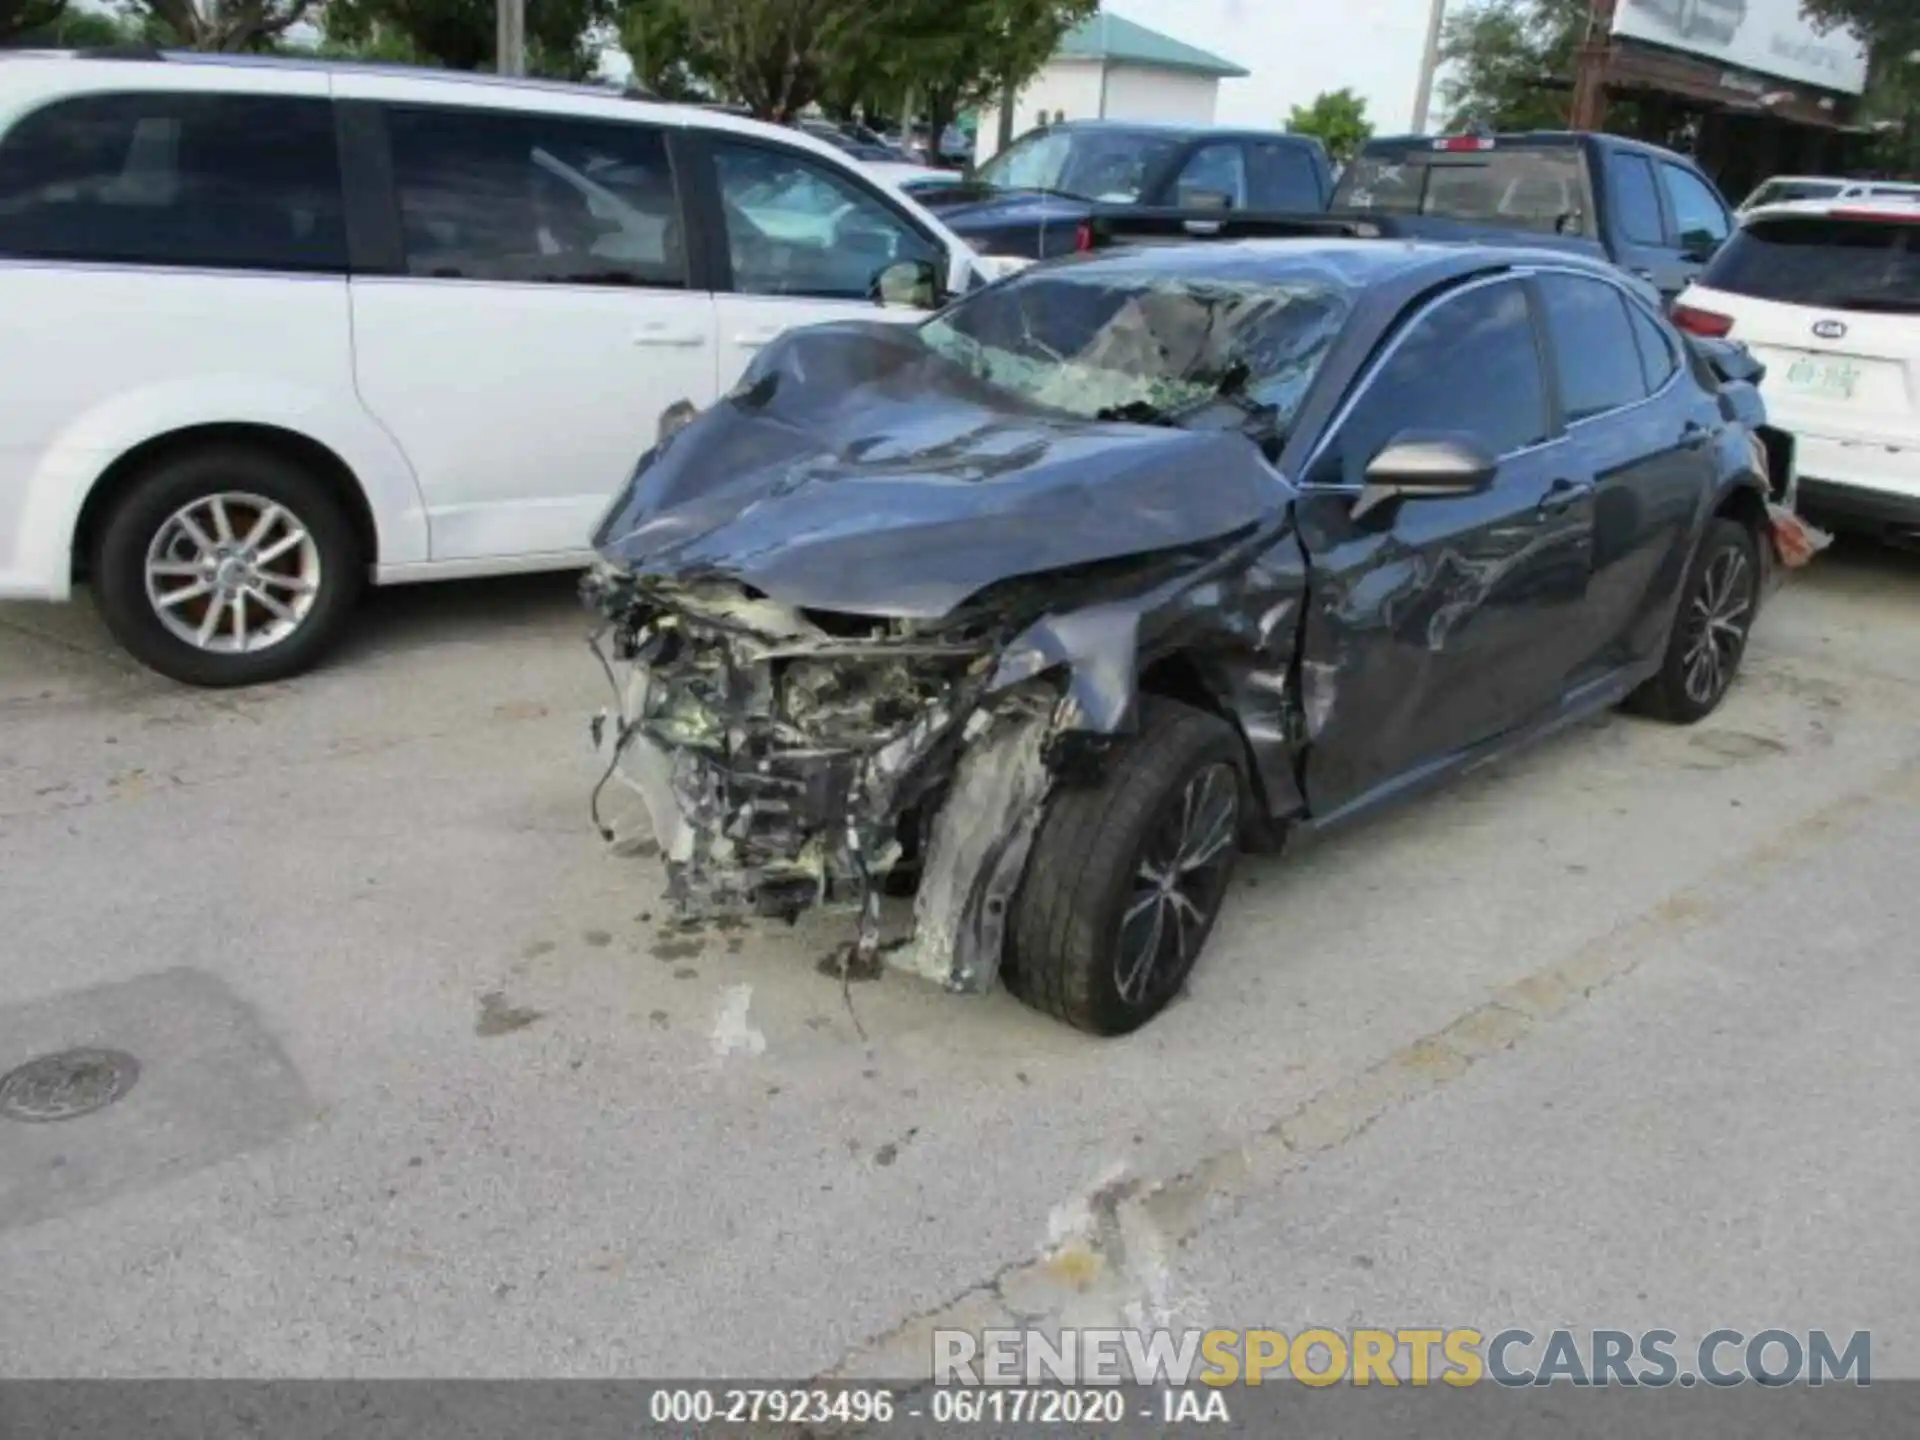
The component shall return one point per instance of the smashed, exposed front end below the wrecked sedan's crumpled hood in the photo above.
(790, 759)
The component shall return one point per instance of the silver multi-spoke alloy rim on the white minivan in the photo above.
(233, 573)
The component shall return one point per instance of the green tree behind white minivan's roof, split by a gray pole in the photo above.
(462, 34)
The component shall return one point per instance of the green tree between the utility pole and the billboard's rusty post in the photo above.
(1512, 62)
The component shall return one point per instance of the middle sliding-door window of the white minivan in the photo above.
(537, 201)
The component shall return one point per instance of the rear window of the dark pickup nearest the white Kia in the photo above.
(1516, 189)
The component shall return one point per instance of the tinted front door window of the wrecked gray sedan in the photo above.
(1485, 333)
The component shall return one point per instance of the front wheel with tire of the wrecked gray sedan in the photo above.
(1126, 878)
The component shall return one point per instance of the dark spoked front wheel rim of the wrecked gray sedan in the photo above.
(1180, 882)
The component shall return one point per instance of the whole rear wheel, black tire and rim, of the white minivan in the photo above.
(251, 487)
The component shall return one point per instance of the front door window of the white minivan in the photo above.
(796, 228)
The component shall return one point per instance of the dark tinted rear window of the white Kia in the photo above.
(1833, 264)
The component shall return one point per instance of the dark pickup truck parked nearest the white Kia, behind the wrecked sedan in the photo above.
(1644, 208)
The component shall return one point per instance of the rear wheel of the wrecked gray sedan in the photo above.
(1710, 633)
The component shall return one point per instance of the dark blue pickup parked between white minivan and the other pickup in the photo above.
(1036, 195)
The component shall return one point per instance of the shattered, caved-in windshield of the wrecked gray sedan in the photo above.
(1130, 343)
